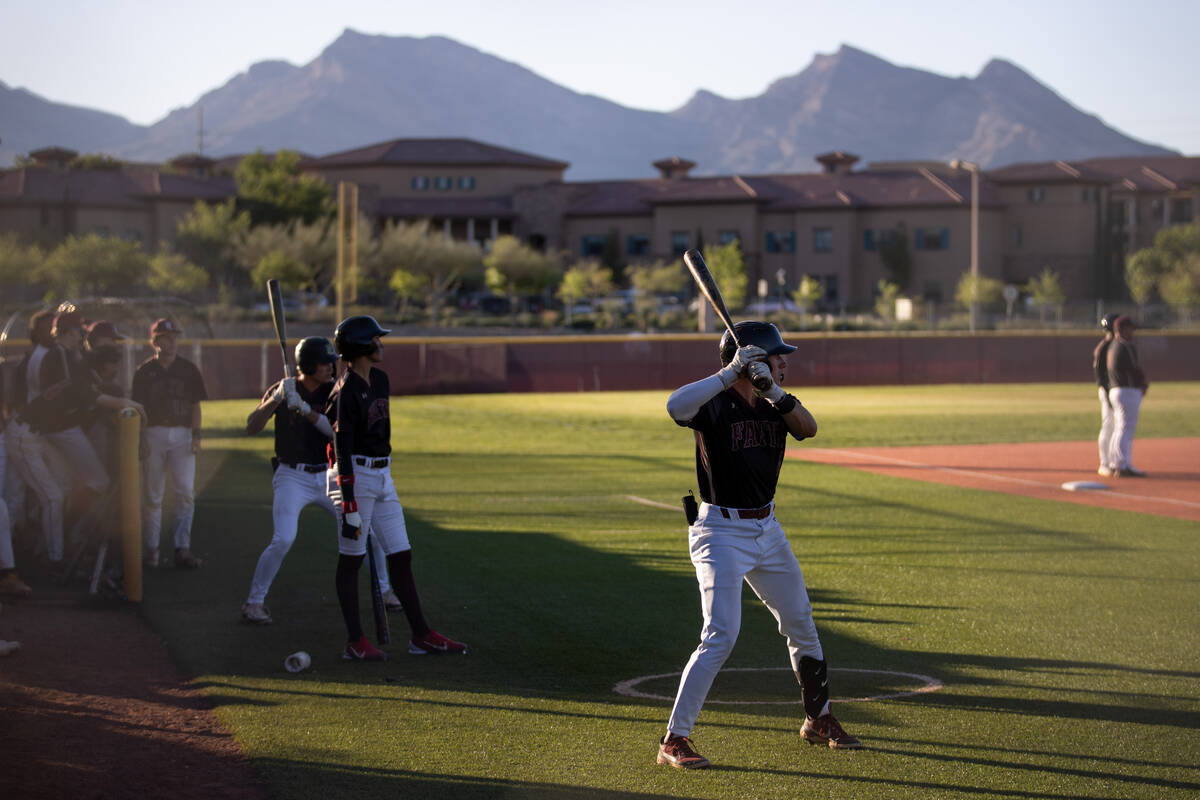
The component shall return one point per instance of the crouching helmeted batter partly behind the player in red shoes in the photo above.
(302, 437)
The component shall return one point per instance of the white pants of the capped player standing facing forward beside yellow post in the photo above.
(170, 452)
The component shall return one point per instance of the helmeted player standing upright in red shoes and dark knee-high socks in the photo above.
(364, 495)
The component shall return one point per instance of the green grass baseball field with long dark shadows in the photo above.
(1066, 637)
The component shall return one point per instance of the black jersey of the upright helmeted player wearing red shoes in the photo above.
(362, 423)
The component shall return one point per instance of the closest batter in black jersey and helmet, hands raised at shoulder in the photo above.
(741, 419)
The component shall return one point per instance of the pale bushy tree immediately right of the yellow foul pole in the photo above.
(441, 263)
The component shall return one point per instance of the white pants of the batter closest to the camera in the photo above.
(727, 552)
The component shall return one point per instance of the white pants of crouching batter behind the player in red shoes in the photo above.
(295, 490)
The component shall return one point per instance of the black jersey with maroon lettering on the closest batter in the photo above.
(740, 450)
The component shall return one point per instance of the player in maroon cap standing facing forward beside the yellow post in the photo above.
(171, 388)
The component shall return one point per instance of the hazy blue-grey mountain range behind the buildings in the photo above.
(365, 89)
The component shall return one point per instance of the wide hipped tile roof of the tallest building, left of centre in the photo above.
(447, 153)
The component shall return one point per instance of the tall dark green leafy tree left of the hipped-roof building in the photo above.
(274, 191)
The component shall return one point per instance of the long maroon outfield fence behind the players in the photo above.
(569, 364)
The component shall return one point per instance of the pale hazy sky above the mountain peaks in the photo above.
(1136, 65)
